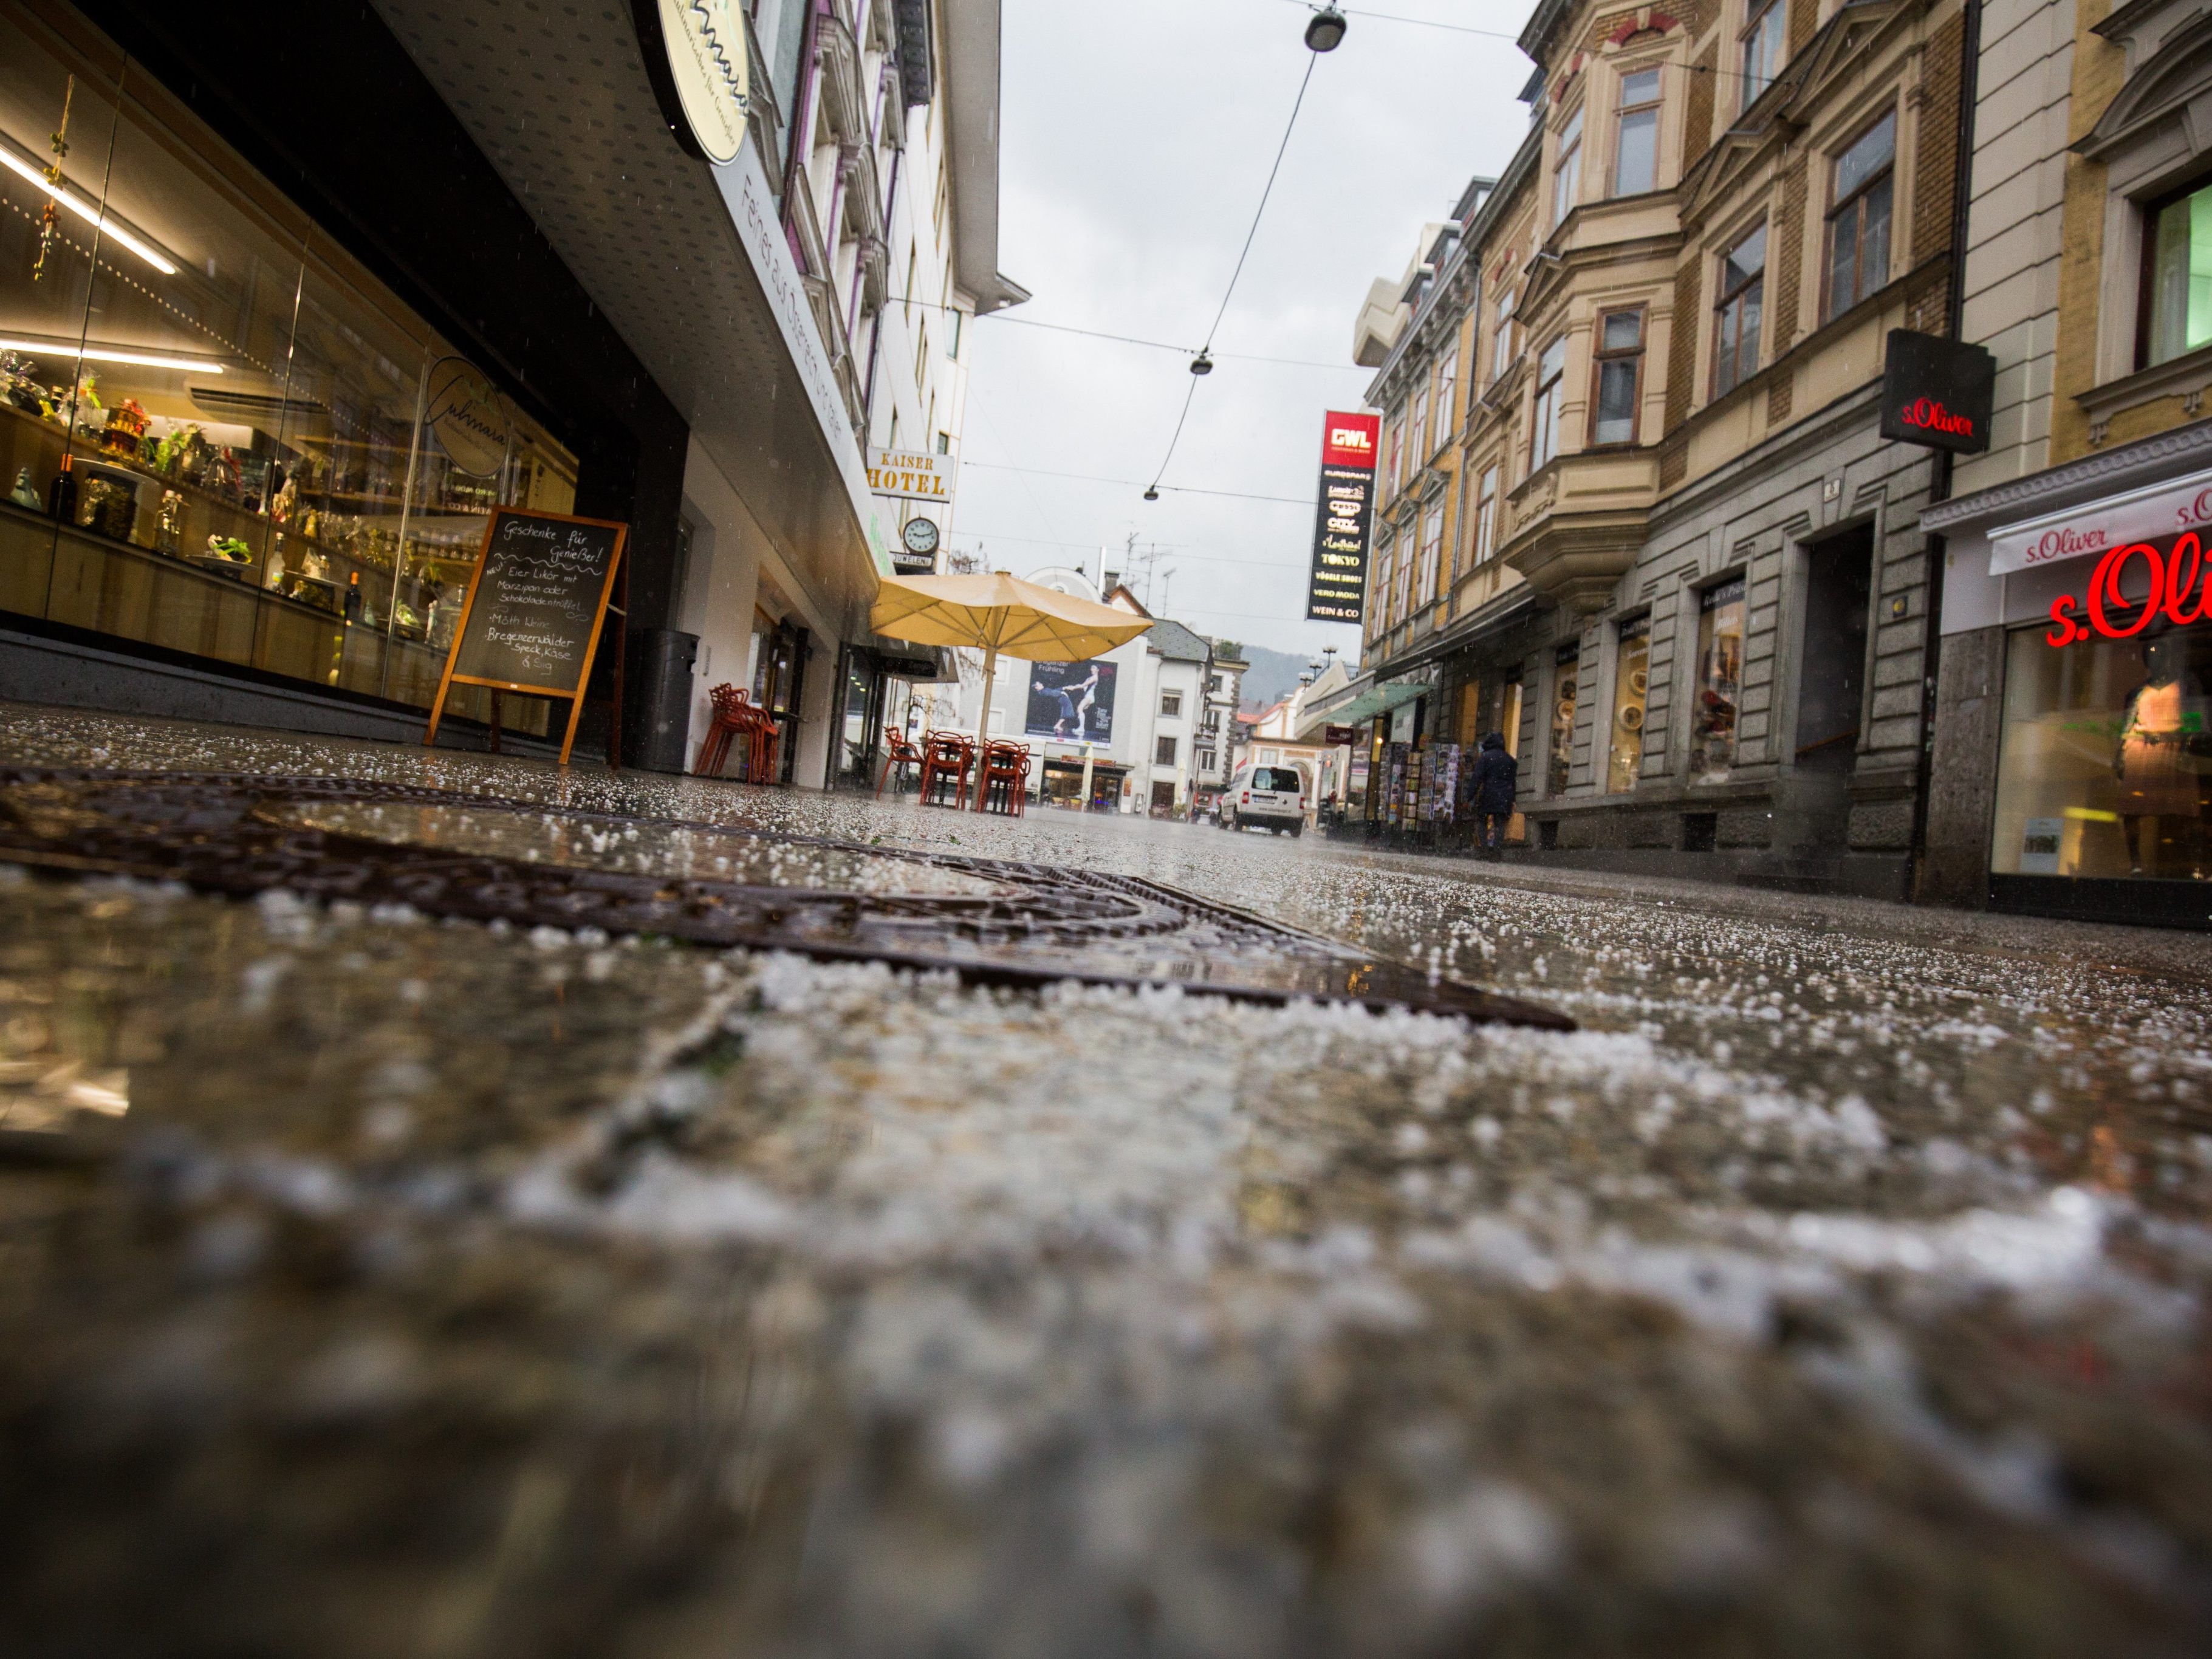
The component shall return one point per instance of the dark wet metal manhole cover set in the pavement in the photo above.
(470, 857)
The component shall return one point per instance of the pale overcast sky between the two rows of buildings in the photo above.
(1136, 145)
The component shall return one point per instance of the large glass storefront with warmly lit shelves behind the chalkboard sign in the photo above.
(218, 435)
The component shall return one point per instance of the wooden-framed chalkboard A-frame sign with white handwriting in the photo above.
(539, 601)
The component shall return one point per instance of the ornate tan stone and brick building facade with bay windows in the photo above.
(1689, 576)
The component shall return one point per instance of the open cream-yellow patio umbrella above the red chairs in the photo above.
(999, 614)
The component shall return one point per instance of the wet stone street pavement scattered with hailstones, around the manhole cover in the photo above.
(399, 1286)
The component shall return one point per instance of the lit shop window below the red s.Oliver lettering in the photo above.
(2107, 758)
